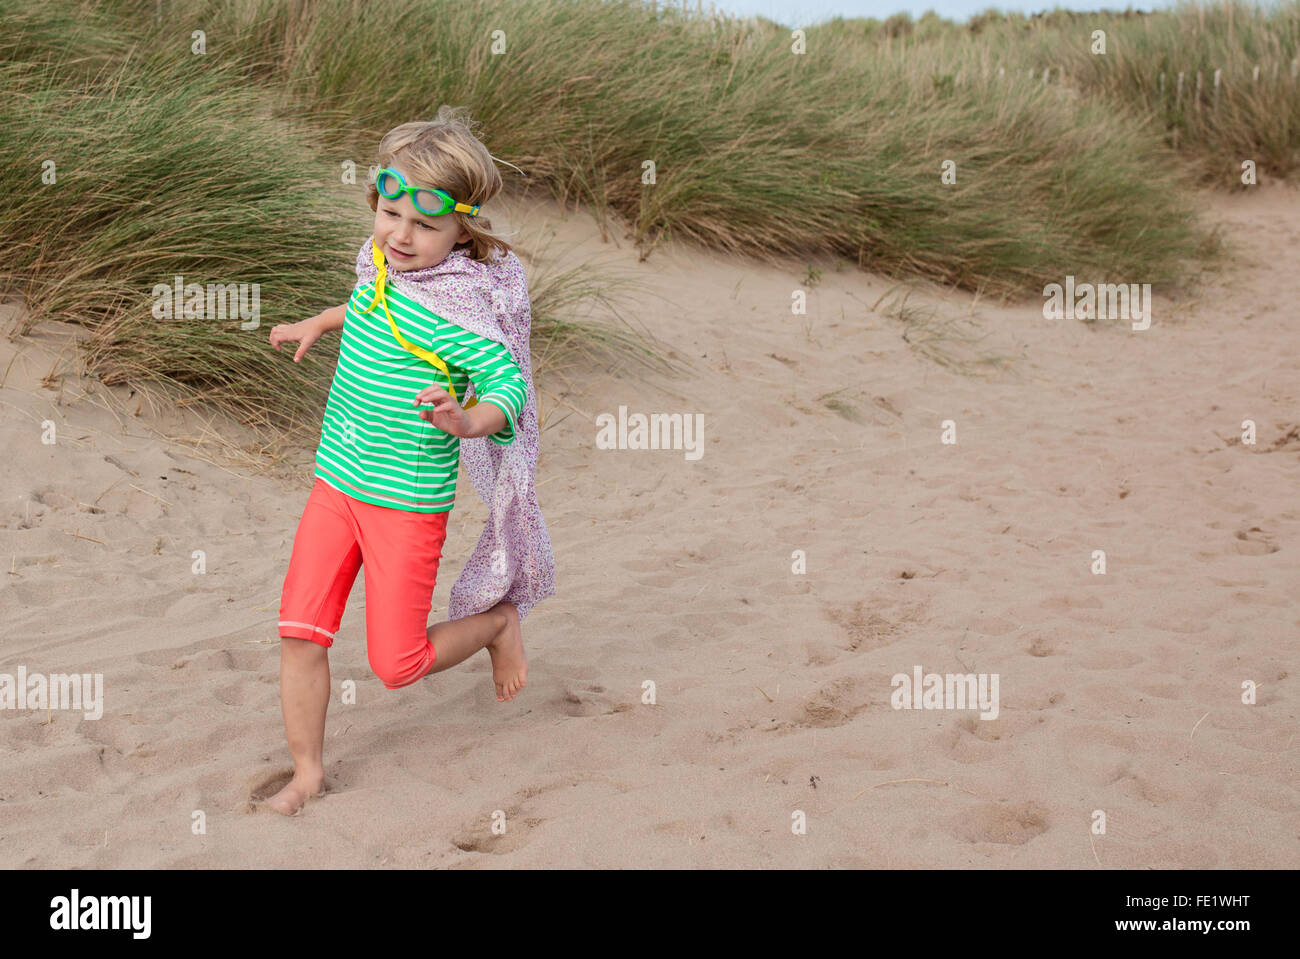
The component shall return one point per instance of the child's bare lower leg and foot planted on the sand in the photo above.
(304, 700)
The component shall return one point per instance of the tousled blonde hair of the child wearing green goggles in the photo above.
(447, 154)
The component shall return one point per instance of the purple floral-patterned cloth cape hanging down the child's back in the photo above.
(513, 562)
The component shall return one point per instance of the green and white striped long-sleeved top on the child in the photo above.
(375, 448)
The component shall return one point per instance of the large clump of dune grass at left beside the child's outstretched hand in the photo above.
(162, 170)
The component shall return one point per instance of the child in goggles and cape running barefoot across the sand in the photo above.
(440, 302)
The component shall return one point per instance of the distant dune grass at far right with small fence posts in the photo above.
(1253, 114)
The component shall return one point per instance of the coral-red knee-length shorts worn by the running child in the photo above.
(400, 550)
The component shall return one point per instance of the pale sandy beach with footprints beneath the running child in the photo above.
(822, 446)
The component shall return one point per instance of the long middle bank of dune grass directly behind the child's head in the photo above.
(756, 150)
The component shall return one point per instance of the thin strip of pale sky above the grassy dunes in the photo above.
(808, 12)
